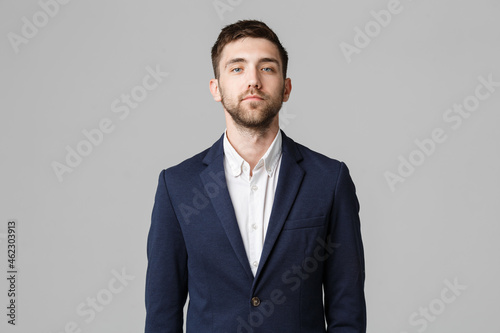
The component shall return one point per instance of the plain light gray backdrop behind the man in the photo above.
(439, 225)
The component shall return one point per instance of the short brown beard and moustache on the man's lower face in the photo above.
(255, 115)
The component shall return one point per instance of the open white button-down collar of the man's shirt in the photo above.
(269, 160)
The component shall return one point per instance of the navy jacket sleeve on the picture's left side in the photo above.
(166, 276)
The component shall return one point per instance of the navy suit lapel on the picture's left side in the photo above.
(214, 173)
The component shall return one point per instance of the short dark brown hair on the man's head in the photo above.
(242, 29)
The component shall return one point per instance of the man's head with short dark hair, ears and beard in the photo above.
(250, 68)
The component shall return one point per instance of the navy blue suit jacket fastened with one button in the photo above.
(312, 249)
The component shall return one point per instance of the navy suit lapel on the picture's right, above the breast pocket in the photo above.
(289, 180)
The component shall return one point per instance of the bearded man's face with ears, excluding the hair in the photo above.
(251, 86)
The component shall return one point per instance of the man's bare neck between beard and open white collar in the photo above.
(251, 144)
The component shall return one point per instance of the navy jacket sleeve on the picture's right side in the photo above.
(344, 274)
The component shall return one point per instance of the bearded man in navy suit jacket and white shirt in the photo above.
(262, 232)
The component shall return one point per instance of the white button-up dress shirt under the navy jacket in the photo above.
(252, 196)
